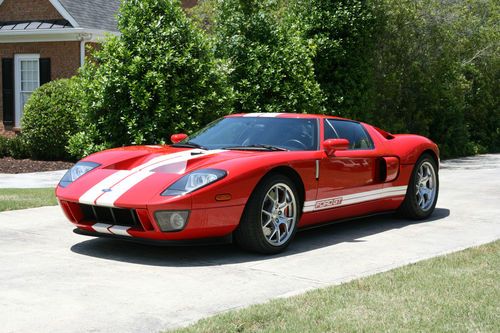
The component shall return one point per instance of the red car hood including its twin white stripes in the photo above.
(131, 175)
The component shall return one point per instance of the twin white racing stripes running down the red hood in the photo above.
(106, 192)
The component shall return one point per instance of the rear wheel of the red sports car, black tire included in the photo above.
(423, 189)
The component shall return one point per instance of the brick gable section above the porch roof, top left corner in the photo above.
(20, 10)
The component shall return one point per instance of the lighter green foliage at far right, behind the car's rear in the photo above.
(432, 76)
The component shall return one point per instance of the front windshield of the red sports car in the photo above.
(237, 132)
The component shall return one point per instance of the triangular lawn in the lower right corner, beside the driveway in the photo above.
(459, 292)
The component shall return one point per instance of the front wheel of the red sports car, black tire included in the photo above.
(271, 215)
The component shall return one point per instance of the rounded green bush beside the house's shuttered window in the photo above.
(49, 119)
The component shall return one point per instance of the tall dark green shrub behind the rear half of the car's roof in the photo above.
(342, 31)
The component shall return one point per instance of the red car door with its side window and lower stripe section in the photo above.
(347, 177)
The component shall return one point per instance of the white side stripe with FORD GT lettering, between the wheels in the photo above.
(338, 201)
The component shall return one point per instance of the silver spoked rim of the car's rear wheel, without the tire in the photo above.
(425, 186)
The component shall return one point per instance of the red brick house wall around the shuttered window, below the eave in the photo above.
(64, 58)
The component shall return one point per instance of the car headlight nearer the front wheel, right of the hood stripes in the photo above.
(194, 180)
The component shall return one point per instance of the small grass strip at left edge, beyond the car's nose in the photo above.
(12, 199)
